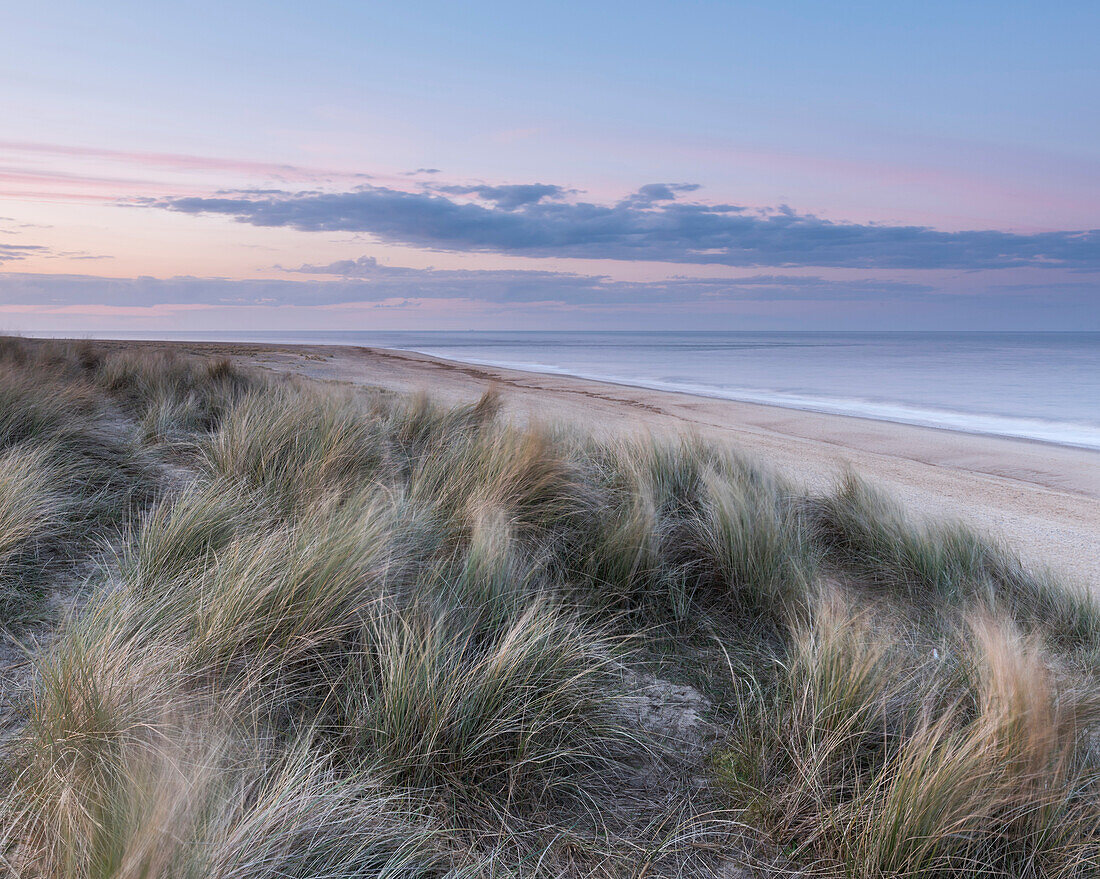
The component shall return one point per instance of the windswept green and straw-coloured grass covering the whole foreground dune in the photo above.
(340, 635)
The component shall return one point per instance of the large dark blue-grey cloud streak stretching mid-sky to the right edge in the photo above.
(652, 225)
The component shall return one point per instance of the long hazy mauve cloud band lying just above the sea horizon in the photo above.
(325, 296)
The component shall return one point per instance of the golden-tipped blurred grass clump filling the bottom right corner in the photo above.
(878, 756)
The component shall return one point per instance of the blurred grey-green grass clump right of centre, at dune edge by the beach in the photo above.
(683, 528)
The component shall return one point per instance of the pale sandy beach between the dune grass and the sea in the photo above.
(1043, 500)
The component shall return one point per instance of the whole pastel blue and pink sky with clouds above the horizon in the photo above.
(244, 166)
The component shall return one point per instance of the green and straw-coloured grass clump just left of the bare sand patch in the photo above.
(524, 711)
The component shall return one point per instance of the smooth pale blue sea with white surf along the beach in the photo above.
(1041, 387)
